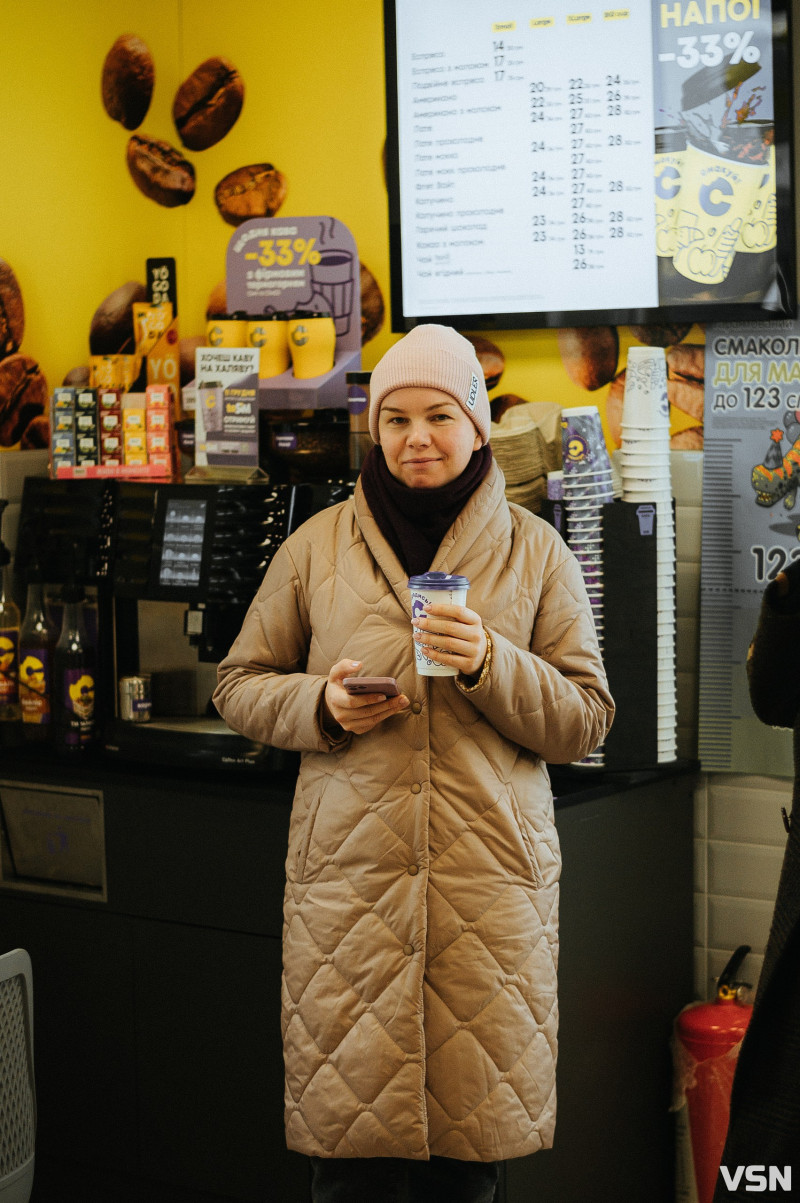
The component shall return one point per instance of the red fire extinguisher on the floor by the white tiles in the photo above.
(706, 1048)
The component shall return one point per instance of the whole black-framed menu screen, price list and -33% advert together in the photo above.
(556, 164)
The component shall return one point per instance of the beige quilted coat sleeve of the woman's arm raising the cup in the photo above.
(553, 698)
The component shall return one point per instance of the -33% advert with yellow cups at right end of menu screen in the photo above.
(715, 153)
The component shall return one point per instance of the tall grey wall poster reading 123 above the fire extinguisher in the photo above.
(751, 530)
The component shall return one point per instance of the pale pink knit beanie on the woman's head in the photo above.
(432, 358)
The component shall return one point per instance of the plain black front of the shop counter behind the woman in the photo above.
(157, 980)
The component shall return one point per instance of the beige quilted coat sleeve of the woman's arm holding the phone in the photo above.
(263, 690)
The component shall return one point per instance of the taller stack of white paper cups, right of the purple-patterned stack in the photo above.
(645, 470)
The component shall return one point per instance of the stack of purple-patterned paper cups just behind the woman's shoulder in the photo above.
(586, 490)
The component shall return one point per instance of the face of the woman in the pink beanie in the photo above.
(426, 437)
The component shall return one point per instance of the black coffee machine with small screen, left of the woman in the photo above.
(171, 571)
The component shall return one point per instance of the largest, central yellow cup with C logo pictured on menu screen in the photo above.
(716, 198)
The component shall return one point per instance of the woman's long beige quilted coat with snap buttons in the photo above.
(420, 937)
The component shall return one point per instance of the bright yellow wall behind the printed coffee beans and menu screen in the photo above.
(73, 224)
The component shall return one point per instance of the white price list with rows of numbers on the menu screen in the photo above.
(526, 159)
